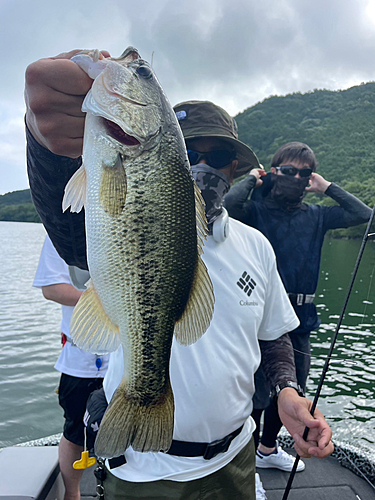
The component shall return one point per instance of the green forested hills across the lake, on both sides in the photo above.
(338, 125)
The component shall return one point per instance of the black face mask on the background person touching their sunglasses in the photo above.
(288, 191)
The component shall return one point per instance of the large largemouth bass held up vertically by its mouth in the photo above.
(145, 226)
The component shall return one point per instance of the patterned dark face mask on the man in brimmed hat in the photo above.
(214, 185)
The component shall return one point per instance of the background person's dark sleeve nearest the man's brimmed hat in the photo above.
(236, 201)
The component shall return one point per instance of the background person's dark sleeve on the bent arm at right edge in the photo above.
(351, 211)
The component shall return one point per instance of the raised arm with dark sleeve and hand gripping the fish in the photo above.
(54, 92)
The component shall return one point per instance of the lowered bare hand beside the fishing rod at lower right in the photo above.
(295, 414)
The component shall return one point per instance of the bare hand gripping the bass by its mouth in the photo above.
(54, 93)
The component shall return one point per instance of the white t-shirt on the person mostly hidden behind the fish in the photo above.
(72, 361)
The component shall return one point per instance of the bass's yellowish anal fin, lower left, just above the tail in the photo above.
(90, 327)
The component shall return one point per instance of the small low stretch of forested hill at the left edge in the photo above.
(17, 206)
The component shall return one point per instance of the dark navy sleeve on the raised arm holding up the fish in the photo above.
(48, 174)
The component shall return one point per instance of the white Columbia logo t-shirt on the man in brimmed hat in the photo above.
(213, 379)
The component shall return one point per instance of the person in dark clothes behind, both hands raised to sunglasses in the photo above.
(296, 232)
